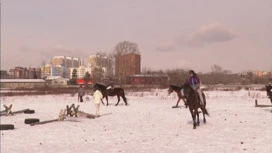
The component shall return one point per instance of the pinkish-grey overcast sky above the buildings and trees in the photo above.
(195, 34)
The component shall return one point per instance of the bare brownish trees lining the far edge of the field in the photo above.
(177, 76)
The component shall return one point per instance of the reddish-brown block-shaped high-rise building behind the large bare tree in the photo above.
(128, 64)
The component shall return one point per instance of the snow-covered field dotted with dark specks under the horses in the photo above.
(147, 125)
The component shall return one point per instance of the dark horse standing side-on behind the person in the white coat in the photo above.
(116, 91)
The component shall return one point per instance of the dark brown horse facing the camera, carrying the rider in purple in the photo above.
(193, 101)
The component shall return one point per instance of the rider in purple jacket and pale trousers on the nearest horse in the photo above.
(194, 82)
